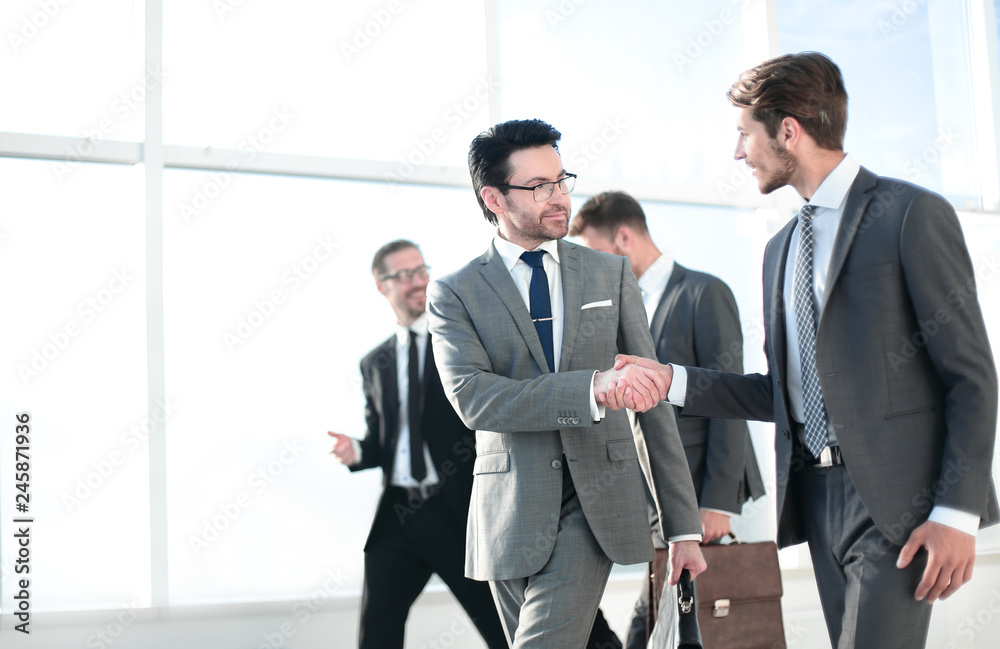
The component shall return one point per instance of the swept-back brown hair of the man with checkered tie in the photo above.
(807, 86)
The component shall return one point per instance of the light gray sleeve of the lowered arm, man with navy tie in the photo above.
(661, 454)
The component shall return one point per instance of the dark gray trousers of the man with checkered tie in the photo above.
(867, 601)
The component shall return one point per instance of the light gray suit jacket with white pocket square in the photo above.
(528, 420)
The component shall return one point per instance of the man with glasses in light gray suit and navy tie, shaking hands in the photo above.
(519, 335)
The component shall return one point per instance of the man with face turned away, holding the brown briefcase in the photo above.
(694, 321)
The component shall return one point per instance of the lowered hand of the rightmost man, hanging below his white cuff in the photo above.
(950, 557)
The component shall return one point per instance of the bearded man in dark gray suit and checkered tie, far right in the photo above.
(880, 379)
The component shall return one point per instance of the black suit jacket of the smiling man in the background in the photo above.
(452, 446)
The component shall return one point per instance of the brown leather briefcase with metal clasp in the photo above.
(739, 595)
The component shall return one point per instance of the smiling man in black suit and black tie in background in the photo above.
(426, 455)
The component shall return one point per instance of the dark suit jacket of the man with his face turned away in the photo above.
(697, 323)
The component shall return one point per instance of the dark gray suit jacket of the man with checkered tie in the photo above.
(903, 360)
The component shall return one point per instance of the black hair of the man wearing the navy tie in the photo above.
(490, 151)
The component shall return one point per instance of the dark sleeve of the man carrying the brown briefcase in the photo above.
(718, 342)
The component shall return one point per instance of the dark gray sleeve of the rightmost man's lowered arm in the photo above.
(939, 278)
